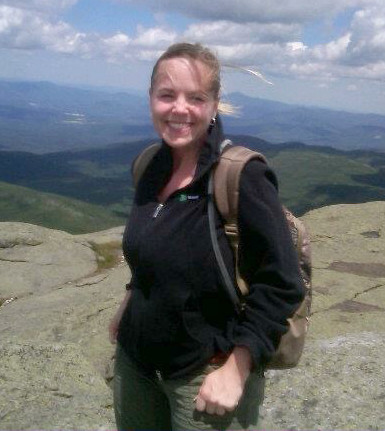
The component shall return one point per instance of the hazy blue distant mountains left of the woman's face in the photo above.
(41, 117)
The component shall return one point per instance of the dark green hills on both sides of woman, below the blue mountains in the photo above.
(91, 190)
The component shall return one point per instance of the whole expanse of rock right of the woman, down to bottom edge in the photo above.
(338, 383)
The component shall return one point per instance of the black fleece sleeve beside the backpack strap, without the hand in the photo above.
(268, 263)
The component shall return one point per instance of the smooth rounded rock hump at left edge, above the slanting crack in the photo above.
(34, 260)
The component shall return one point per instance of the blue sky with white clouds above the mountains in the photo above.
(326, 53)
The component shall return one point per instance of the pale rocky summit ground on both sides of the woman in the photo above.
(58, 292)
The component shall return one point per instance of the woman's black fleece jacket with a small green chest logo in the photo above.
(179, 314)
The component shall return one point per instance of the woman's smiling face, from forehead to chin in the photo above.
(182, 103)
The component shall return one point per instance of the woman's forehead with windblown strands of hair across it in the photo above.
(183, 72)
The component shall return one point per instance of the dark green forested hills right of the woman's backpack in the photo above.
(313, 178)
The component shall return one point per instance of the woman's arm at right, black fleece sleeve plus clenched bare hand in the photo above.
(269, 264)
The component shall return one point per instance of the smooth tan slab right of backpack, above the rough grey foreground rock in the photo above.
(348, 268)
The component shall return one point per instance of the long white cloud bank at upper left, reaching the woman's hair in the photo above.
(27, 29)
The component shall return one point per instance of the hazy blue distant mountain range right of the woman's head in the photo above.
(279, 122)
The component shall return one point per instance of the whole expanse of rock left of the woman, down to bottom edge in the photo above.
(54, 347)
